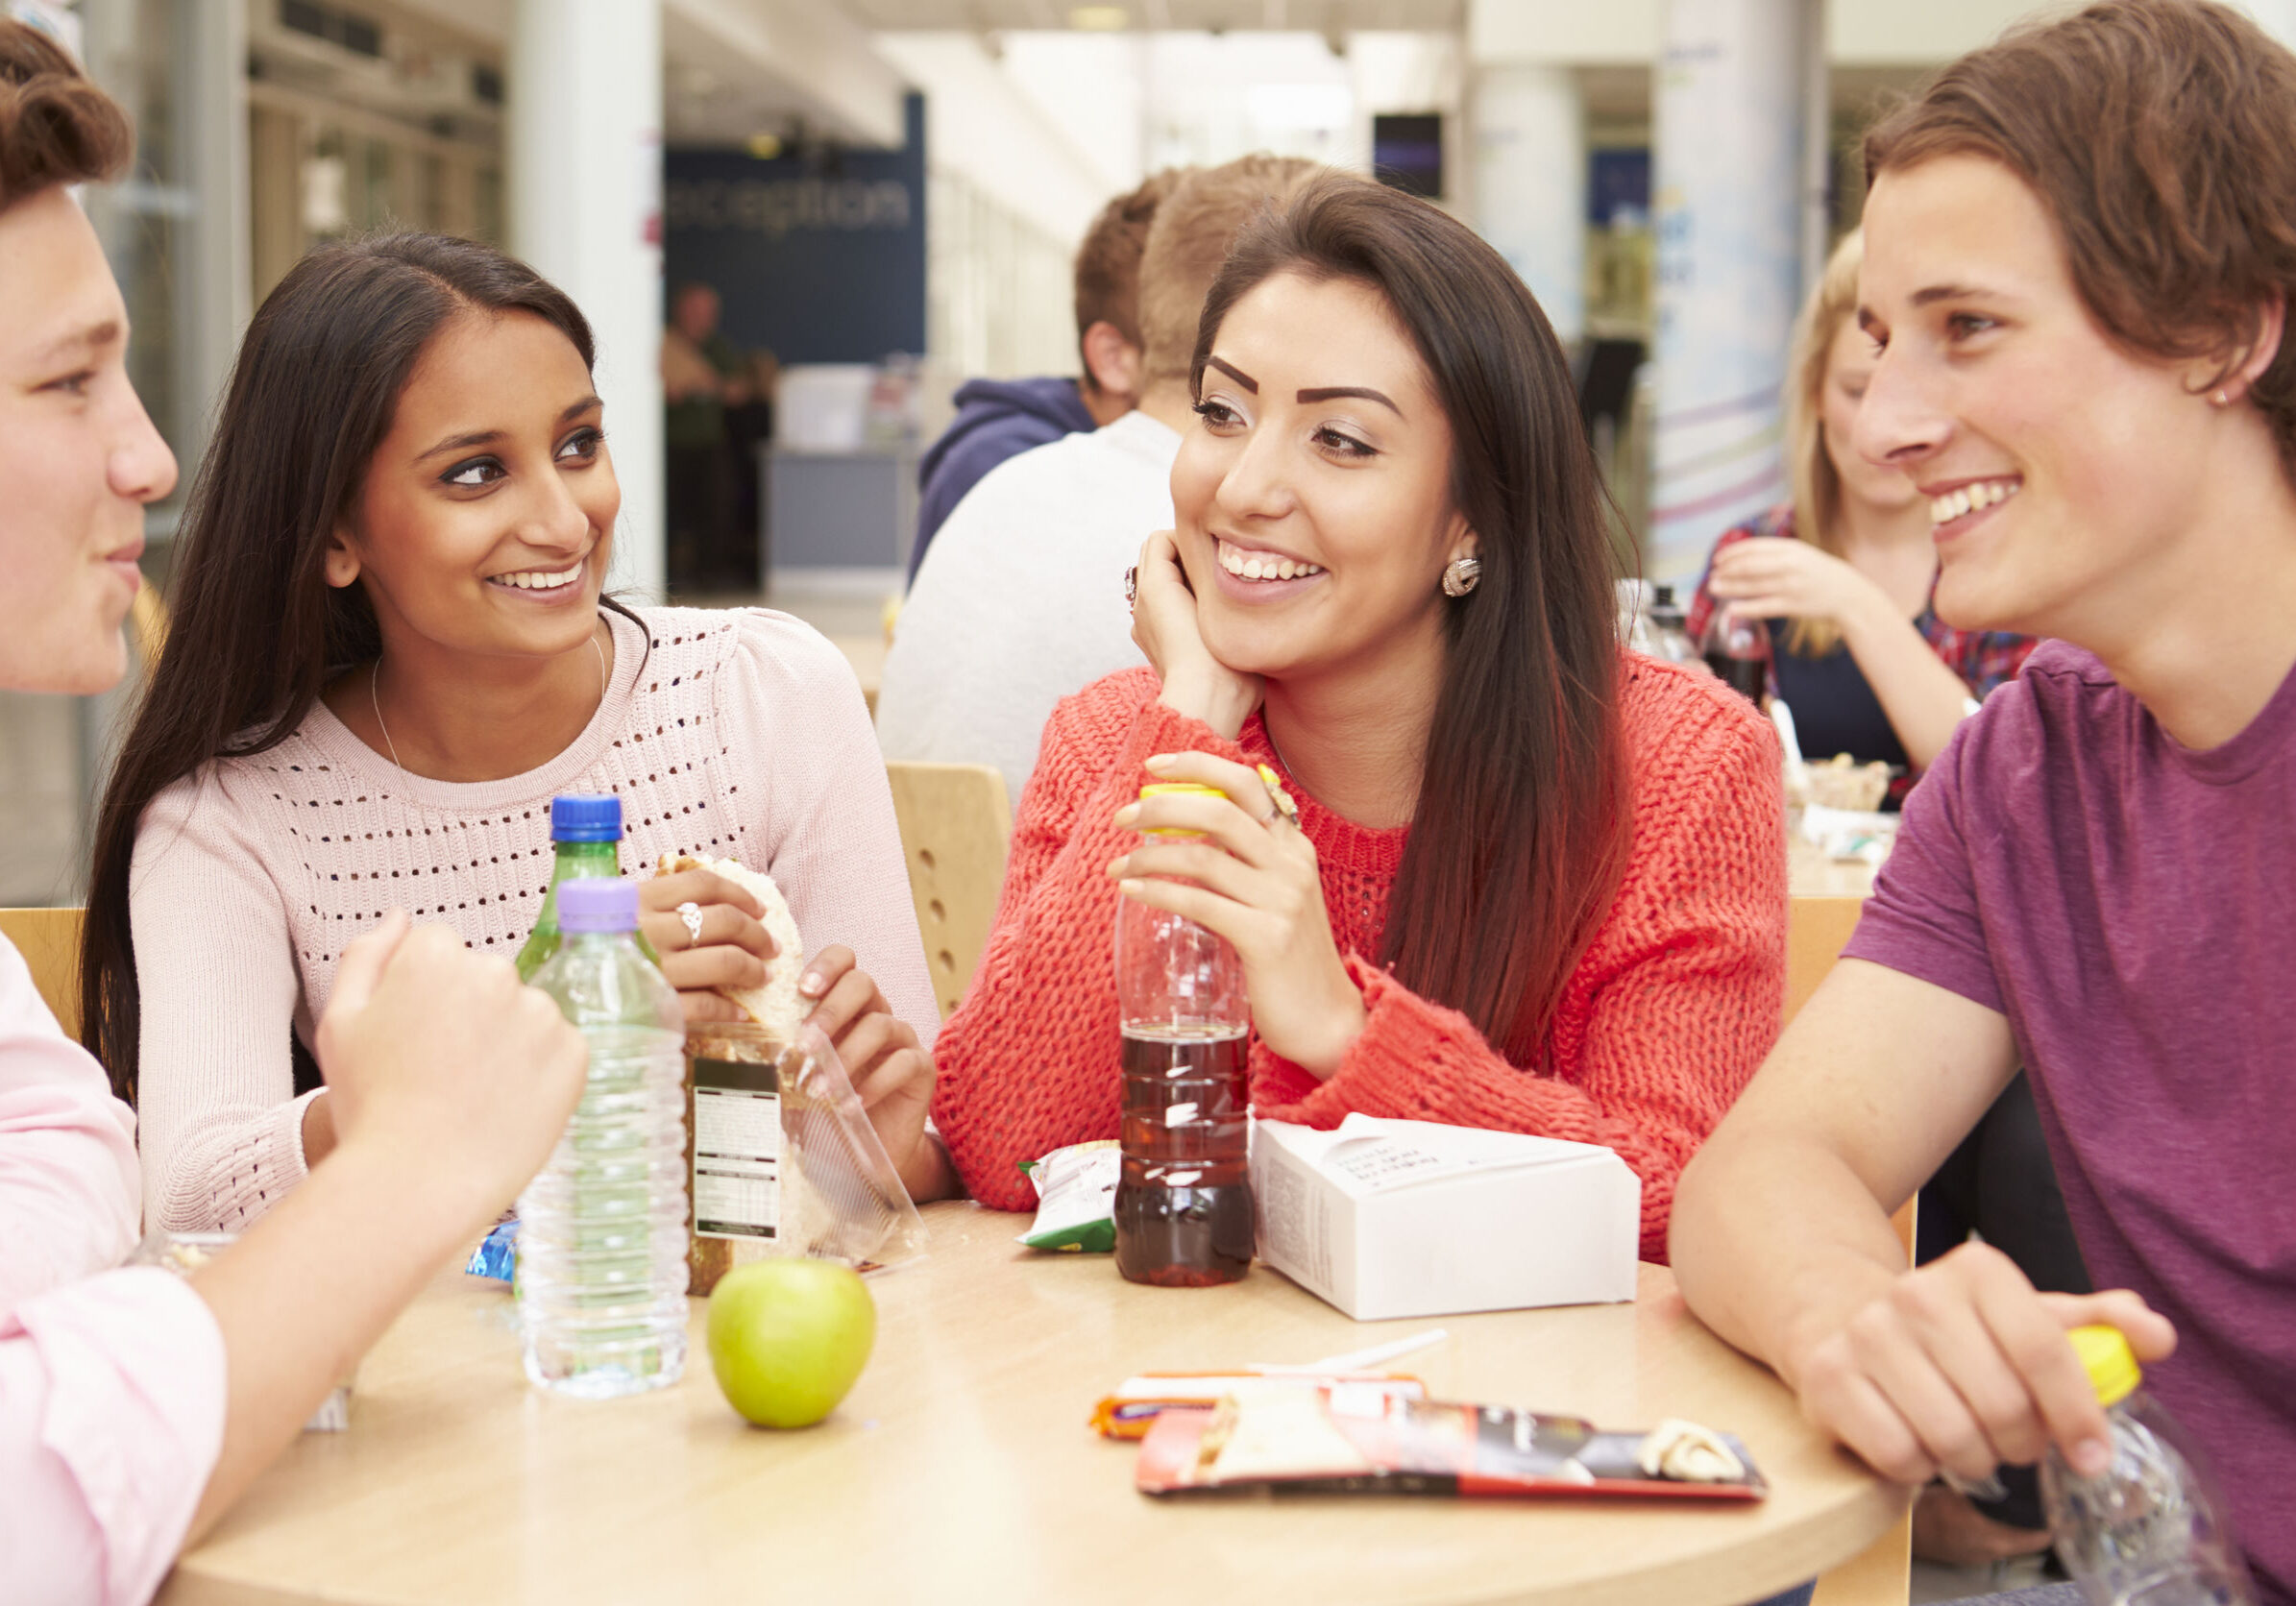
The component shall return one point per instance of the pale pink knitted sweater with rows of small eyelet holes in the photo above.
(736, 735)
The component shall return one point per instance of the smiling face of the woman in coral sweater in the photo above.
(1314, 492)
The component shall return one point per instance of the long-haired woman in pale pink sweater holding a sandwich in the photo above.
(389, 653)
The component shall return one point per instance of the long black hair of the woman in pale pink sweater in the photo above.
(256, 630)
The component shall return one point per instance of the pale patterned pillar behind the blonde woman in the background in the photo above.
(1730, 180)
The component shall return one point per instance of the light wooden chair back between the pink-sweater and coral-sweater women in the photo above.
(956, 829)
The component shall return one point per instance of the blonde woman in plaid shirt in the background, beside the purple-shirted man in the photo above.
(1845, 570)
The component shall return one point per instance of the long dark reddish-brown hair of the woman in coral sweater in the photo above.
(1523, 809)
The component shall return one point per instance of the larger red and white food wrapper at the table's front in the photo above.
(1353, 1440)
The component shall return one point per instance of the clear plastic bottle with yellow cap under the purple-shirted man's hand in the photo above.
(2150, 1529)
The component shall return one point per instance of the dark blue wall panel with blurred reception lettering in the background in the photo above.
(819, 256)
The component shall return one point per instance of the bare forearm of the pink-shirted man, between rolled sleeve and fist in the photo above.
(309, 1291)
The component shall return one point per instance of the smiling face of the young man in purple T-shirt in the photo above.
(2061, 467)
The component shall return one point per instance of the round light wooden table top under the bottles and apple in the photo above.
(961, 1467)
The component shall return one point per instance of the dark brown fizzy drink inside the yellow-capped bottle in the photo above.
(1184, 1201)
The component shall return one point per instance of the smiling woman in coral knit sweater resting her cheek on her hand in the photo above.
(1535, 882)
